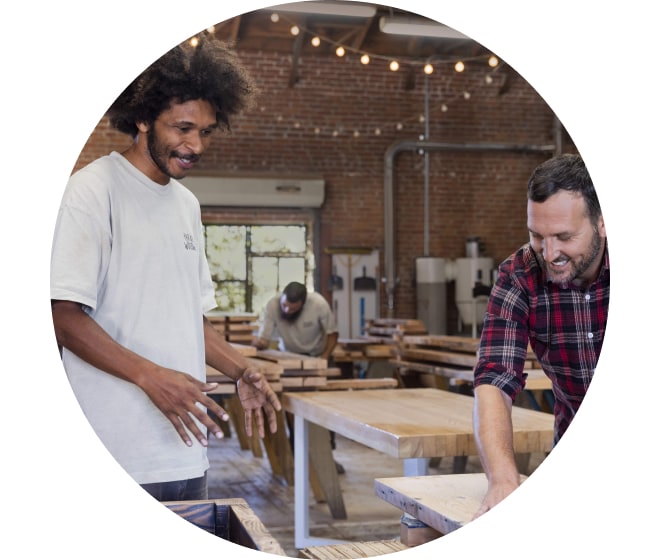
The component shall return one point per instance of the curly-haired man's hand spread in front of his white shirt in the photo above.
(178, 396)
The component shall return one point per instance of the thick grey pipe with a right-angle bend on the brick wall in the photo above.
(395, 149)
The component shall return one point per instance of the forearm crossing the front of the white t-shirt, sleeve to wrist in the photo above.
(80, 334)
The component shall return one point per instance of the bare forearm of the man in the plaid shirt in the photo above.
(494, 434)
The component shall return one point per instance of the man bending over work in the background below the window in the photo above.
(304, 322)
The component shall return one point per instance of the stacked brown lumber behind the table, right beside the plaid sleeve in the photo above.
(452, 357)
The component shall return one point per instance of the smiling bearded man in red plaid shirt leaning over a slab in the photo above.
(553, 293)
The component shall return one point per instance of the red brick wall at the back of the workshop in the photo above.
(325, 125)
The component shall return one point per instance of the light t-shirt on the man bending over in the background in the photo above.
(307, 333)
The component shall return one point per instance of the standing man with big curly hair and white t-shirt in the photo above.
(130, 282)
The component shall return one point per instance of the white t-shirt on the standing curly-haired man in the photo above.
(132, 252)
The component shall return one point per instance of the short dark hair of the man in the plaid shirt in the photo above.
(564, 172)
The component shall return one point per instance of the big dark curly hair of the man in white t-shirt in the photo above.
(206, 70)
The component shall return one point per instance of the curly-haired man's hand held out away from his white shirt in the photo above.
(257, 397)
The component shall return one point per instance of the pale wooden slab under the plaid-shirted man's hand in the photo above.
(444, 502)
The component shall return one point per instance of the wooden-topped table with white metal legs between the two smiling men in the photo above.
(410, 424)
